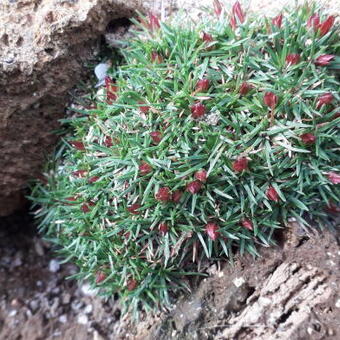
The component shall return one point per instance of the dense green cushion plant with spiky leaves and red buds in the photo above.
(206, 140)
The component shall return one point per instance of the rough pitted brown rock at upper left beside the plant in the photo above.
(43, 48)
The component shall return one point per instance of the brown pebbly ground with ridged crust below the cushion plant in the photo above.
(37, 302)
